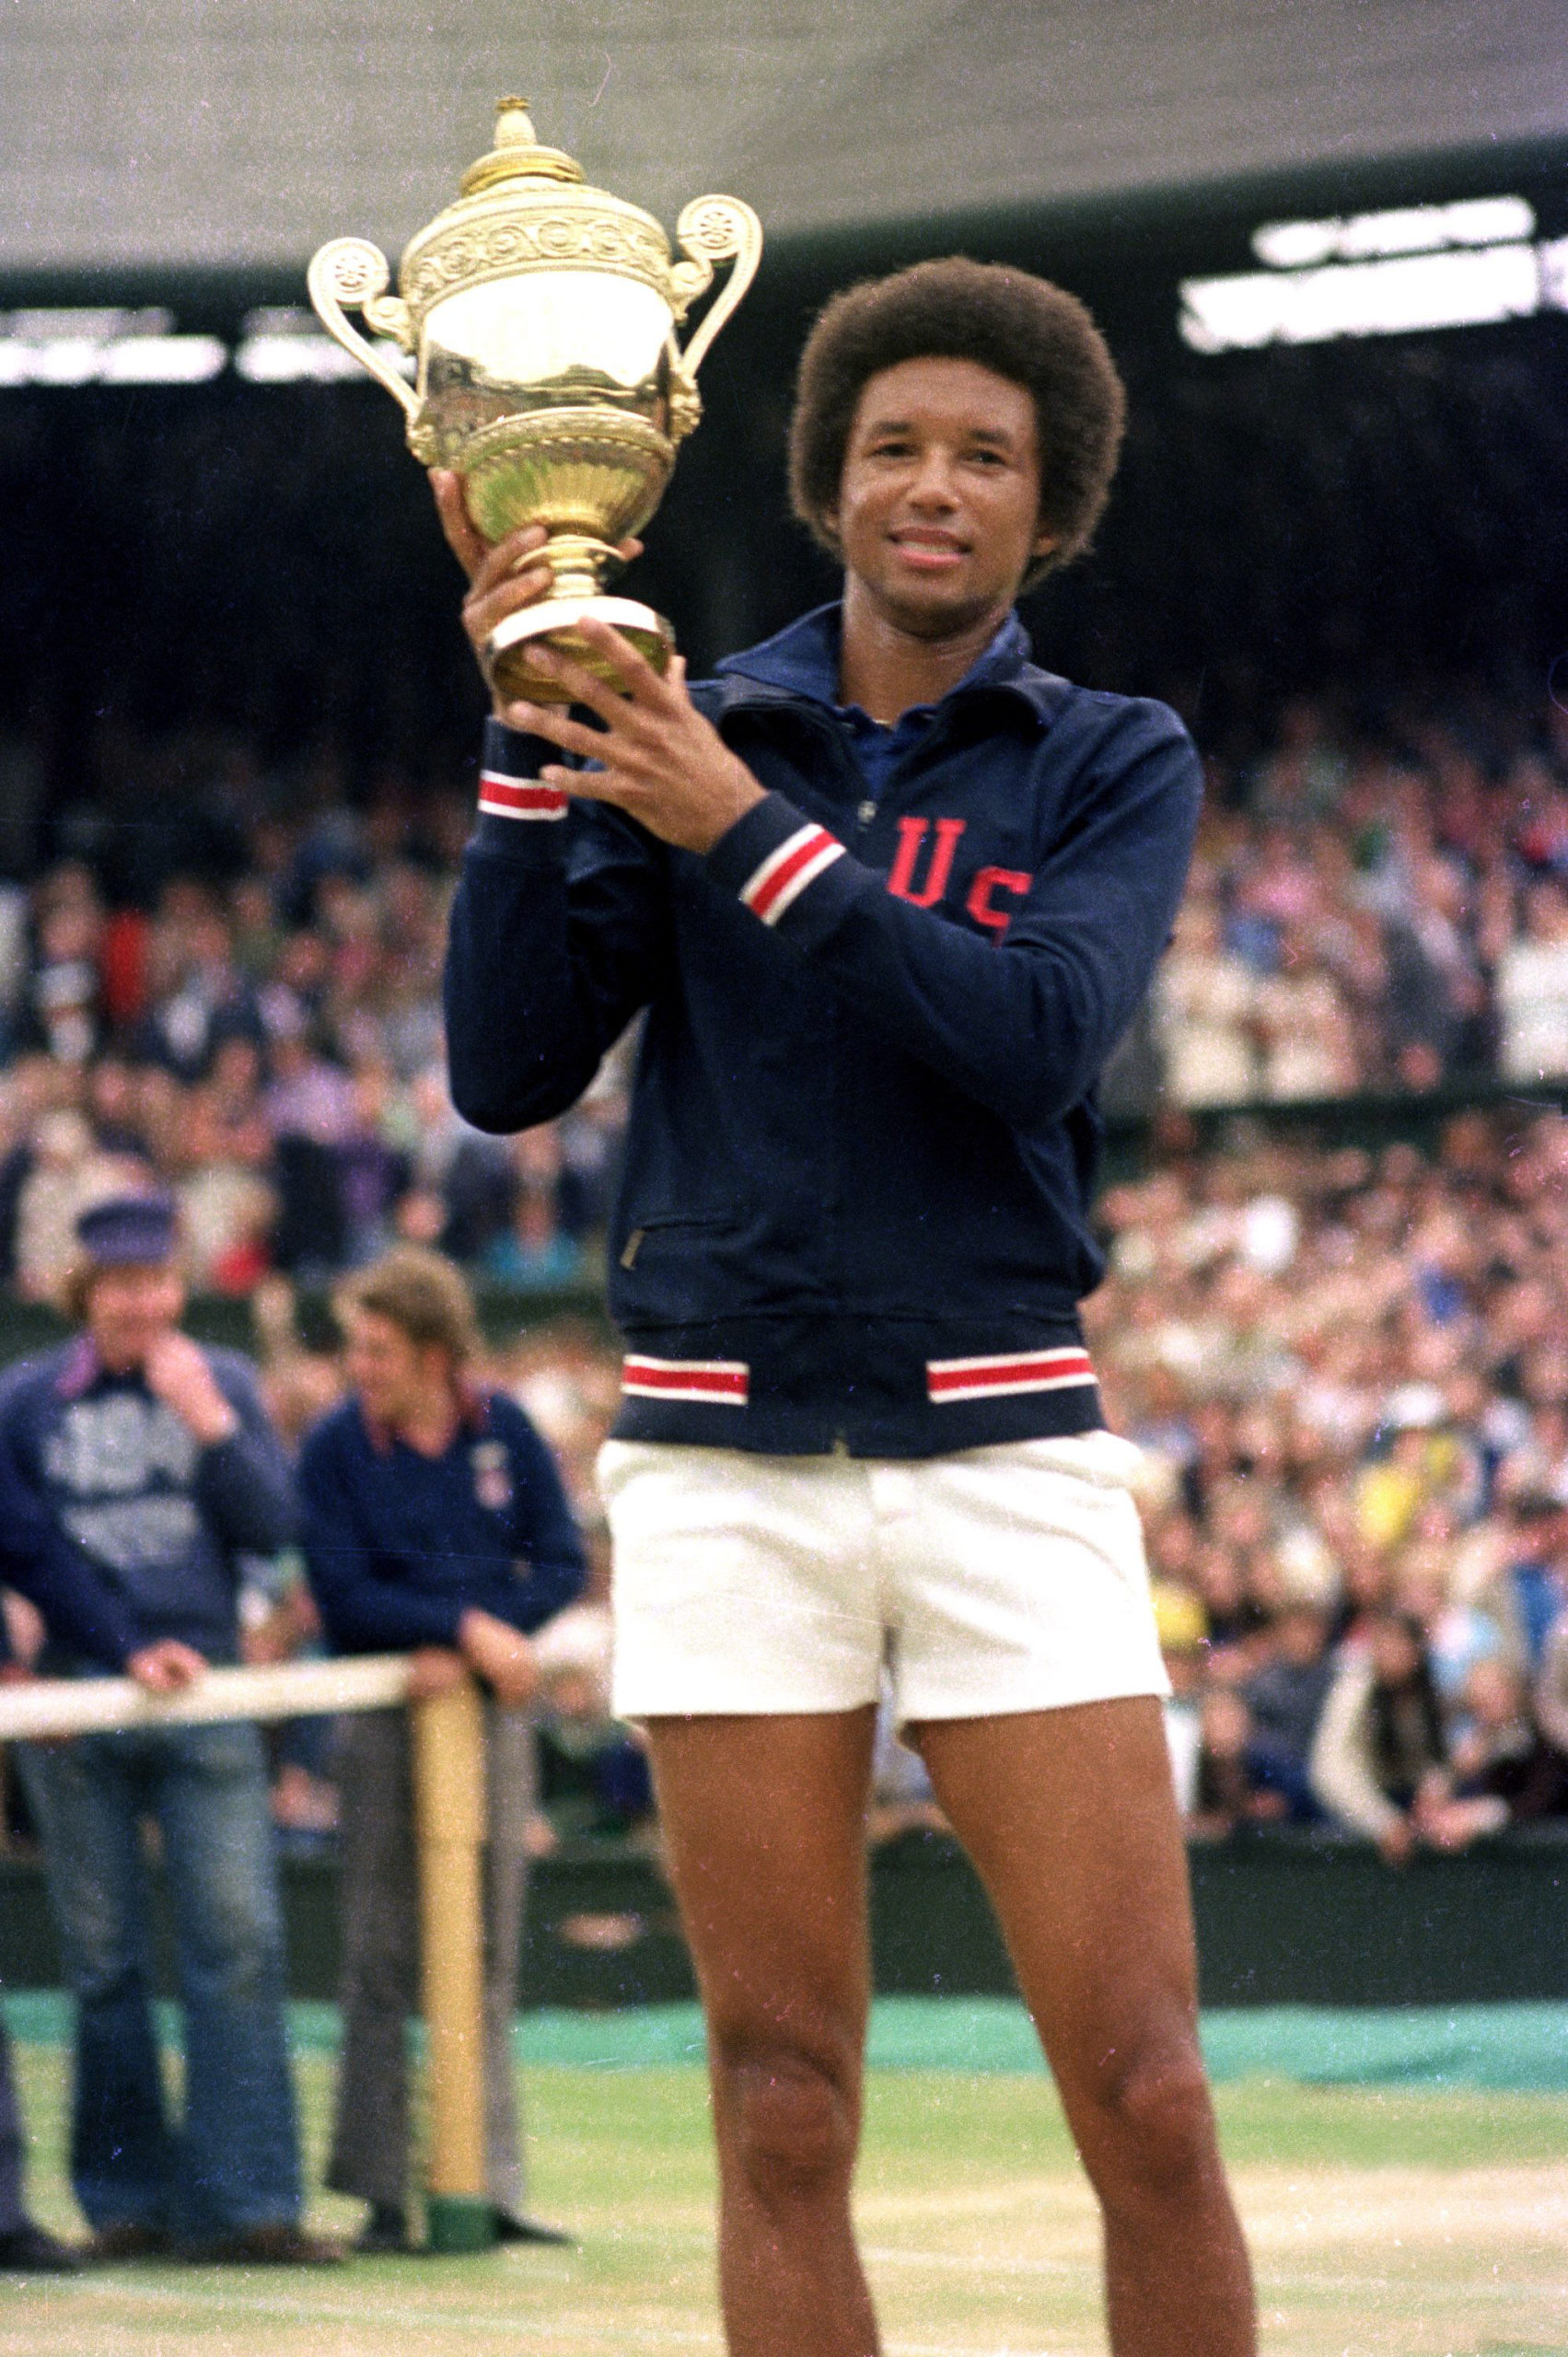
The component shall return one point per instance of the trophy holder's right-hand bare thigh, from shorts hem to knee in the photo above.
(1072, 1823)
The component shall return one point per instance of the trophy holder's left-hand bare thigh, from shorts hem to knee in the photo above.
(765, 1830)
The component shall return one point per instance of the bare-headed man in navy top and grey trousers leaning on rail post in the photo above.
(435, 1524)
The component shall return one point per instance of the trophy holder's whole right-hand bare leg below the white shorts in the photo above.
(1072, 1823)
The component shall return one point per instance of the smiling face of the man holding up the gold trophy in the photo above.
(940, 503)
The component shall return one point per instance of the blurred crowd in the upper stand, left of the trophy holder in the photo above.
(265, 1038)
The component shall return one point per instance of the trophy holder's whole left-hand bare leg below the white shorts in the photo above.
(765, 1825)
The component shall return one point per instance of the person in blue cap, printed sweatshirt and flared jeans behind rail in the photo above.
(154, 1463)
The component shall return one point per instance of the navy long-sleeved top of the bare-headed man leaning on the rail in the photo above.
(402, 1545)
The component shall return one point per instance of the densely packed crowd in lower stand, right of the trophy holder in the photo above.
(1350, 1375)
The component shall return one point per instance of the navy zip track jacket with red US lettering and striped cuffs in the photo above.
(864, 1135)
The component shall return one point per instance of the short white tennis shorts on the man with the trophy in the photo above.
(991, 1580)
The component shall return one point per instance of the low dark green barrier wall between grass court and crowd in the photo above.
(1282, 1922)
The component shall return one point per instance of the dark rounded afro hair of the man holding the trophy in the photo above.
(1020, 326)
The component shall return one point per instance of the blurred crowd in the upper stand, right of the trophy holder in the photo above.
(1376, 911)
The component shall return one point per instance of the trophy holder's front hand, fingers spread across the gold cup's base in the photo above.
(664, 762)
